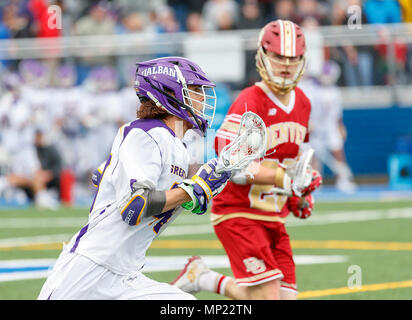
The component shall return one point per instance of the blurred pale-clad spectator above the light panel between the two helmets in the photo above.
(215, 12)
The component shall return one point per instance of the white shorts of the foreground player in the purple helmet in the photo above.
(75, 277)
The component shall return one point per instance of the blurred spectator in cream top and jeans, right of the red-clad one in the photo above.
(96, 23)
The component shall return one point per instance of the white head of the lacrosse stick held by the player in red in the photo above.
(302, 172)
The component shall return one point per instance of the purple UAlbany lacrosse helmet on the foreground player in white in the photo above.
(165, 81)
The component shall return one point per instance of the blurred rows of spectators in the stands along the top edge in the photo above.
(30, 18)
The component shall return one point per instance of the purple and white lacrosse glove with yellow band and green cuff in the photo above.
(203, 186)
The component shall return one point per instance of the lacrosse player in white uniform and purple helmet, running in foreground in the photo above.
(141, 189)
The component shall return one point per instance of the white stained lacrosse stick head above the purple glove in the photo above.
(250, 144)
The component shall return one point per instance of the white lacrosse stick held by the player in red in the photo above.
(301, 173)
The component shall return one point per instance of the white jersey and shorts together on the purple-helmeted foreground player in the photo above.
(147, 153)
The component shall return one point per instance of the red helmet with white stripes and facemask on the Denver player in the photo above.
(280, 58)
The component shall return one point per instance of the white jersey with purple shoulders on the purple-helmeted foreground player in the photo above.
(147, 152)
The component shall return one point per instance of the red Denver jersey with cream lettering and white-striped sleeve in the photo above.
(287, 129)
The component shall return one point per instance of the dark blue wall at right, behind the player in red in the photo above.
(375, 134)
